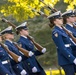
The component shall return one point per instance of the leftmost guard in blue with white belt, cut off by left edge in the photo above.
(5, 65)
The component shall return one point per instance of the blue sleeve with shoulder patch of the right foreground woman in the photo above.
(57, 38)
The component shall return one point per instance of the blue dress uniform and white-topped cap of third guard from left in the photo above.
(27, 44)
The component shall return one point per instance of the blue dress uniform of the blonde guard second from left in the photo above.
(17, 67)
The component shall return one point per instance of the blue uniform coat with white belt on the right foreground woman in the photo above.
(65, 57)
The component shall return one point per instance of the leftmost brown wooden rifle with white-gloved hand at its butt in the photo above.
(13, 55)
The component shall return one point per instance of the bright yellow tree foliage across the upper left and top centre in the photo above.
(21, 9)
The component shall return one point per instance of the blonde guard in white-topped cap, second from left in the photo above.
(8, 35)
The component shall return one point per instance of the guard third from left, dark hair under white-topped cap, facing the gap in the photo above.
(28, 45)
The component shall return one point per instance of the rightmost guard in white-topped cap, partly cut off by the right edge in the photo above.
(68, 20)
